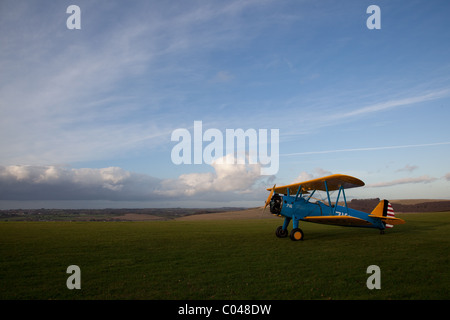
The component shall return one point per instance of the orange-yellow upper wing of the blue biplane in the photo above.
(334, 182)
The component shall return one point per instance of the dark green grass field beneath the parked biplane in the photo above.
(232, 259)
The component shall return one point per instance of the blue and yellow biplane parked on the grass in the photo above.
(296, 202)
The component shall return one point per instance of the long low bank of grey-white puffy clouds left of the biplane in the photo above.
(25, 183)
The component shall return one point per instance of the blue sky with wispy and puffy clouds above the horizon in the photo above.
(87, 115)
